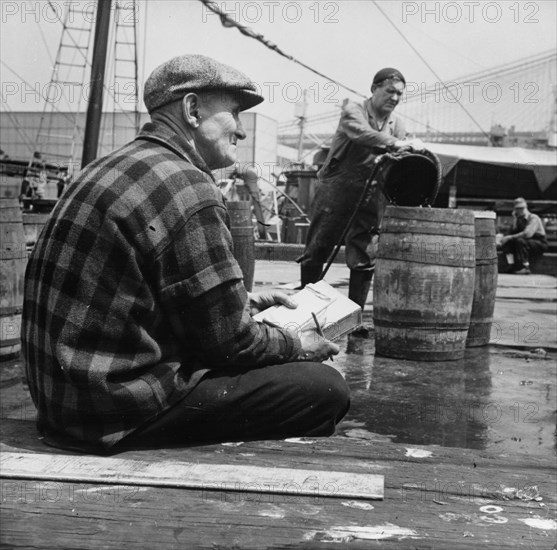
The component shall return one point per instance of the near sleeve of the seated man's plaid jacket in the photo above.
(205, 299)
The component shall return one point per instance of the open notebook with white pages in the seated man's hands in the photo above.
(337, 315)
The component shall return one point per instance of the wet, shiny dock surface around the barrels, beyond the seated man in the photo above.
(500, 397)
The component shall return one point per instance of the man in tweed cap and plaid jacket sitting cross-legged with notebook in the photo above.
(137, 328)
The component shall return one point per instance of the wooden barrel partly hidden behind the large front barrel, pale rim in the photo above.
(485, 286)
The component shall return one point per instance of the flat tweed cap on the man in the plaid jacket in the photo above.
(172, 80)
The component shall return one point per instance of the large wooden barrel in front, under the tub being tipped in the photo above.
(424, 283)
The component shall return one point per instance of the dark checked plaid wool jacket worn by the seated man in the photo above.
(132, 293)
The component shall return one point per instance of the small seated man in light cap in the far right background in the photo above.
(526, 240)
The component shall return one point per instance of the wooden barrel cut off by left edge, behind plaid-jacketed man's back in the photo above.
(13, 258)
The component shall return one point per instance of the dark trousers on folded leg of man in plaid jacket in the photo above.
(294, 399)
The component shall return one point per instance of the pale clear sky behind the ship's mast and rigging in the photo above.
(348, 40)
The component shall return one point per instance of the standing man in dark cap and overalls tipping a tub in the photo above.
(365, 130)
